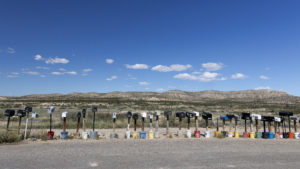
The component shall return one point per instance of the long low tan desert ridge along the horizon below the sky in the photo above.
(268, 96)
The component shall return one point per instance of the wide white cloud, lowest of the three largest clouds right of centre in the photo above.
(204, 77)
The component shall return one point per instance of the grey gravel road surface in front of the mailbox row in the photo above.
(161, 153)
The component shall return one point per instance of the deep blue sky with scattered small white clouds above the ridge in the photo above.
(151, 45)
